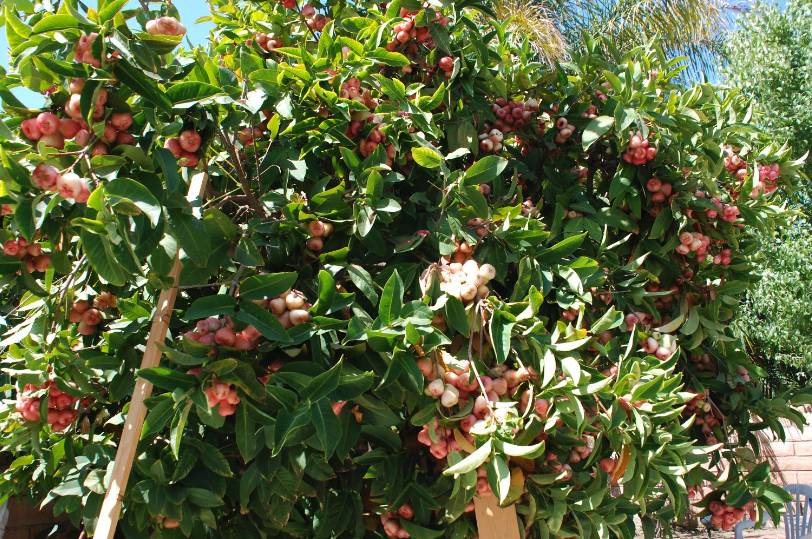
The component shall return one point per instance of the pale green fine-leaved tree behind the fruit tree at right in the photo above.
(770, 58)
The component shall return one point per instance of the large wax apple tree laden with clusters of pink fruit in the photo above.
(425, 268)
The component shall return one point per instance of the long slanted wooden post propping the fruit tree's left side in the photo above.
(111, 507)
